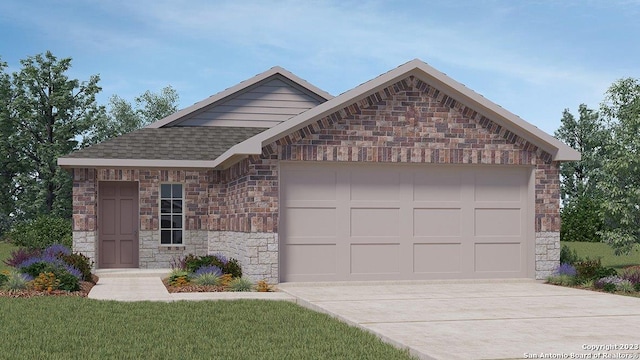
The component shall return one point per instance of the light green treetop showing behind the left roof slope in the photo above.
(122, 117)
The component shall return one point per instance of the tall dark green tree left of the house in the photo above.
(46, 112)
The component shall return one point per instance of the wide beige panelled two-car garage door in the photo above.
(388, 222)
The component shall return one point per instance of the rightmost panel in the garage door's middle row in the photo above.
(498, 222)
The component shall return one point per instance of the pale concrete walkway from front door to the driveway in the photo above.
(146, 285)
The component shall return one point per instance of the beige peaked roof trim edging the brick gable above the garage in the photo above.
(427, 74)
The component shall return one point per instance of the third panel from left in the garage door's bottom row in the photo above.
(429, 258)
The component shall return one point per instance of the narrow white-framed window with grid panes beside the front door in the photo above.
(171, 214)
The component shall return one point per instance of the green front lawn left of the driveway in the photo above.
(79, 328)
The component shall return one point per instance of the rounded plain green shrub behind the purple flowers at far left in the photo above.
(41, 232)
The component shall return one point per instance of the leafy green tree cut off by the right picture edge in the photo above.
(621, 171)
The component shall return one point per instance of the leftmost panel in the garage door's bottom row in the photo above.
(313, 259)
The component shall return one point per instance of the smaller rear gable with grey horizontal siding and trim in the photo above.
(265, 100)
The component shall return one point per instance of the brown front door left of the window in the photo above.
(118, 224)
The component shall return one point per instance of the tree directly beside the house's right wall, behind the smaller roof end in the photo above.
(581, 213)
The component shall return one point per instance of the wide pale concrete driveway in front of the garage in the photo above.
(507, 319)
